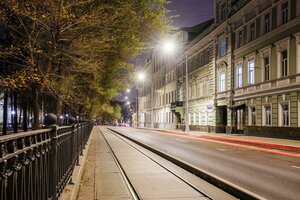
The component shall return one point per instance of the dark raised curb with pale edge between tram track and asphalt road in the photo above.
(223, 184)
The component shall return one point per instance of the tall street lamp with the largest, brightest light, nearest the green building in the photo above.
(168, 47)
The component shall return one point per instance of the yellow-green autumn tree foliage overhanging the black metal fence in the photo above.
(73, 54)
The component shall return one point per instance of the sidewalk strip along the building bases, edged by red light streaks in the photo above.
(274, 143)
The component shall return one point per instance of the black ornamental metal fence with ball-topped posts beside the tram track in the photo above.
(37, 165)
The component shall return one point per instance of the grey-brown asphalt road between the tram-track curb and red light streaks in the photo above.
(269, 175)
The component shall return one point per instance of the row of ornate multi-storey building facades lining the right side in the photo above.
(243, 72)
